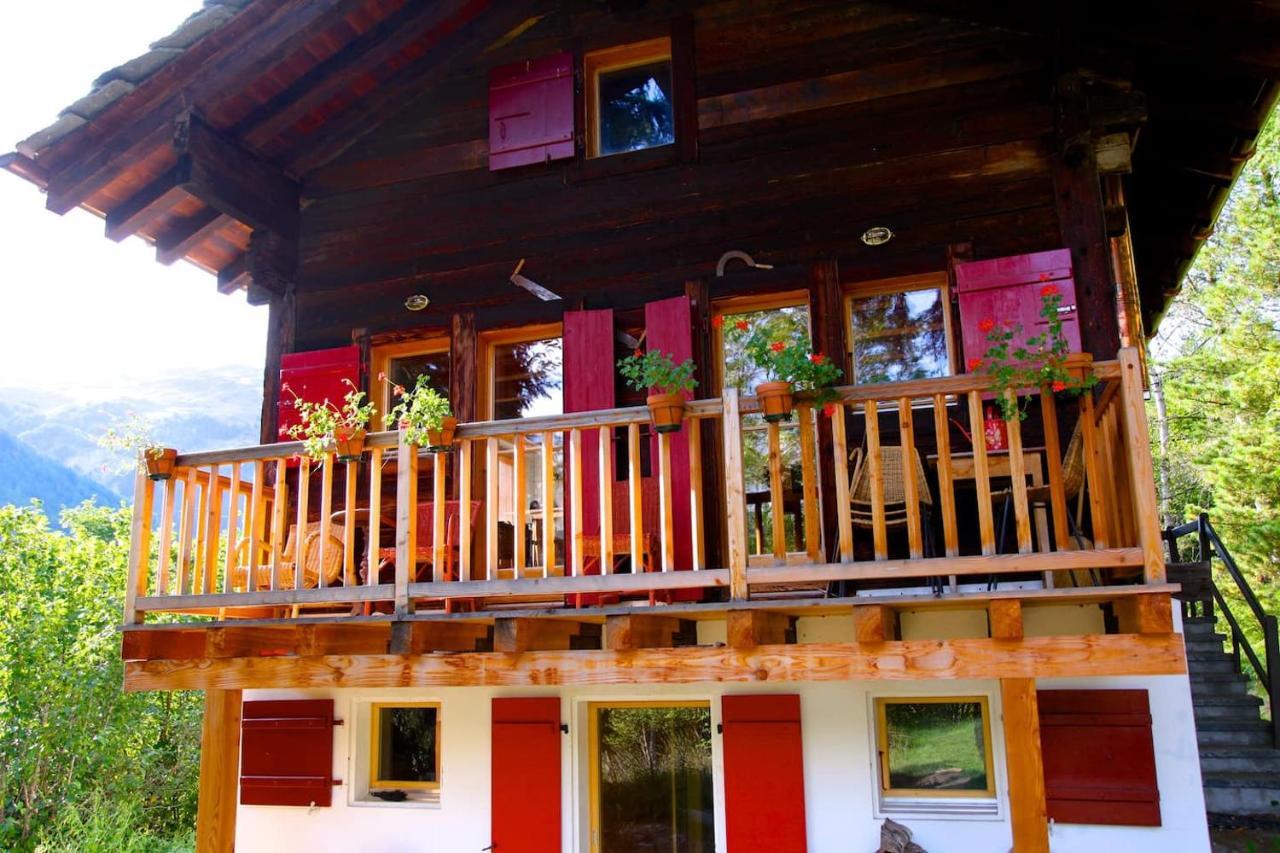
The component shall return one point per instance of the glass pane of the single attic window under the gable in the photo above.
(636, 108)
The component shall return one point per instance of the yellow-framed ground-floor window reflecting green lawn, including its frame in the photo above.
(935, 747)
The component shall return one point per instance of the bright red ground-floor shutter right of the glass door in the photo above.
(764, 774)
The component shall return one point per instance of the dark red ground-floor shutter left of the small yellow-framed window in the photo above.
(287, 754)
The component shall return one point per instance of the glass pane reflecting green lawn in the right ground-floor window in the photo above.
(936, 746)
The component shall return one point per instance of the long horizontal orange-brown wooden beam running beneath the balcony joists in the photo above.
(1096, 655)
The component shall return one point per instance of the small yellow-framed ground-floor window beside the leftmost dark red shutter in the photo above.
(405, 747)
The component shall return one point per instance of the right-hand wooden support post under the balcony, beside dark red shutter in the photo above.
(1027, 806)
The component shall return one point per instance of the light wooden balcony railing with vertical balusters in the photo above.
(260, 532)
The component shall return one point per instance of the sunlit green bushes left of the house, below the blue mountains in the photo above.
(79, 758)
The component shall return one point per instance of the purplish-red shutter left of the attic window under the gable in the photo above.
(532, 112)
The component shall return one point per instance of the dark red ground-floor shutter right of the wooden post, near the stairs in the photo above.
(1100, 761)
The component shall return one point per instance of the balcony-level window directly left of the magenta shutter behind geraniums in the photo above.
(899, 330)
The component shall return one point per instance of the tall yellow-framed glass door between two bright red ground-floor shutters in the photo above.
(651, 778)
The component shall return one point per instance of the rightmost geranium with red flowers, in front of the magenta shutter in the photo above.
(1039, 362)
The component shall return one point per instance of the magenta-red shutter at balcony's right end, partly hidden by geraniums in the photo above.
(1009, 289)
